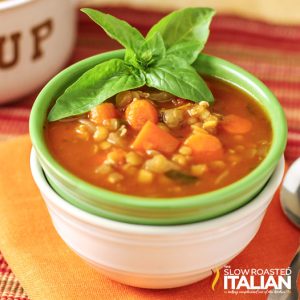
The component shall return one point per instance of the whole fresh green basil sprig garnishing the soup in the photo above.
(163, 60)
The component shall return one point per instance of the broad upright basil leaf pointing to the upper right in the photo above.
(185, 31)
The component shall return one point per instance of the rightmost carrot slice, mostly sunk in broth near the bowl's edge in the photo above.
(236, 125)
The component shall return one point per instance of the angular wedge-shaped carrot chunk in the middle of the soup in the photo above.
(153, 137)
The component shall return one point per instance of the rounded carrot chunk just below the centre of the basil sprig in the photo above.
(139, 112)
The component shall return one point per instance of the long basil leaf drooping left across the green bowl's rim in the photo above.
(95, 86)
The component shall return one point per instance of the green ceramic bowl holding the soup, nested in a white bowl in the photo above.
(162, 211)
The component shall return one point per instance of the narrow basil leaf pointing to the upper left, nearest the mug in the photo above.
(125, 34)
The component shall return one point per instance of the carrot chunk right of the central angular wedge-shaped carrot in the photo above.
(205, 147)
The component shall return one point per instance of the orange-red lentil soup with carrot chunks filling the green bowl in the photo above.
(152, 144)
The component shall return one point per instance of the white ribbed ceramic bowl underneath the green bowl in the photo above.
(156, 256)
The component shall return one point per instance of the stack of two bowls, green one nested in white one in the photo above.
(157, 243)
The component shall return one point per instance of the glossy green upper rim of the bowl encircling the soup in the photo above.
(278, 145)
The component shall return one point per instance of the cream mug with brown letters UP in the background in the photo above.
(36, 40)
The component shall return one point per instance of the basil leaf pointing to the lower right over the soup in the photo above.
(176, 76)
